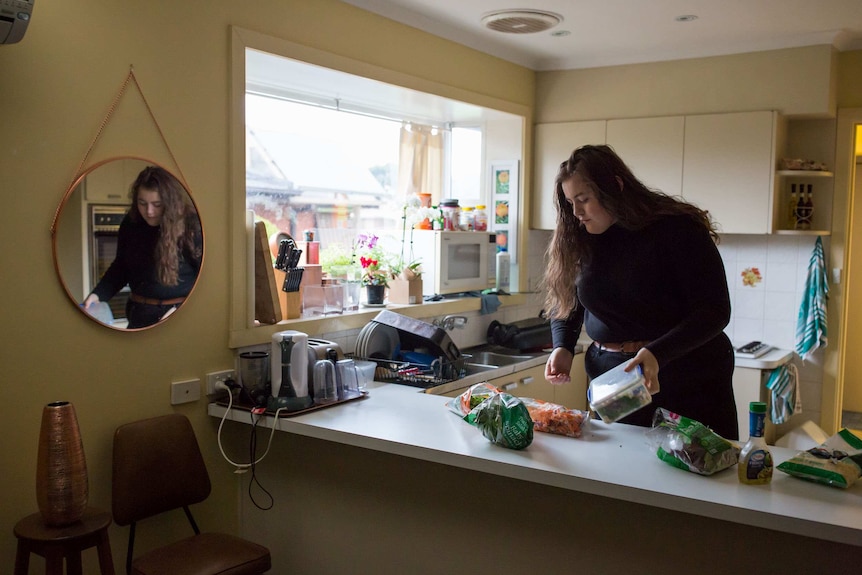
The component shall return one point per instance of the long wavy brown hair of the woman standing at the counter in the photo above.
(627, 199)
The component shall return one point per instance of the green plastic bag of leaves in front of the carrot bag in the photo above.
(504, 420)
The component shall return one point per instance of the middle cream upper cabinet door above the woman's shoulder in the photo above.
(652, 148)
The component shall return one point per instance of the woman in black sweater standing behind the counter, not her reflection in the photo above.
(641, 272)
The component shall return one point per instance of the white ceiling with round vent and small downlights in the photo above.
(613, 32)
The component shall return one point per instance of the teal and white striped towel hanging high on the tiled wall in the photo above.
(811, 324)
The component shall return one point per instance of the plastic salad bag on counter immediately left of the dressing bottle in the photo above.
(689, 444)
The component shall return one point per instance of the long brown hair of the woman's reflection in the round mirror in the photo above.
(177, 228)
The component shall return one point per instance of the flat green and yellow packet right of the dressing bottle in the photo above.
(836, 462)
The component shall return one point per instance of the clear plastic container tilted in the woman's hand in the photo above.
(617, 393)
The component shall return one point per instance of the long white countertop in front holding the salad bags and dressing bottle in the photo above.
(611, 460)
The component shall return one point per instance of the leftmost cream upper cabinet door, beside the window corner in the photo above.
(554, 143)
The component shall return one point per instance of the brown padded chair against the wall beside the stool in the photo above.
(158, 467)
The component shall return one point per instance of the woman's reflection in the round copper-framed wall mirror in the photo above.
(159, 250)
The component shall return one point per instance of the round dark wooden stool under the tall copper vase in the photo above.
(57, 543)
